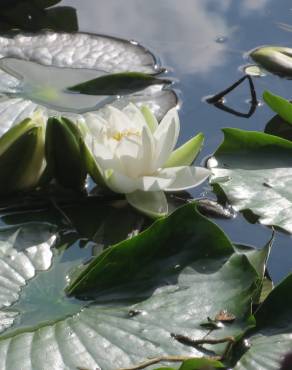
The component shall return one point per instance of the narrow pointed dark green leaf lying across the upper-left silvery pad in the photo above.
(118, 84)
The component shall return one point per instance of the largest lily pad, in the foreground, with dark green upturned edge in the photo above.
(174, 290)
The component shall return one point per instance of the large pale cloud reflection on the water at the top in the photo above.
(185, 31)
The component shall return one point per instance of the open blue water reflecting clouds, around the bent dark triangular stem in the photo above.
(203, 42)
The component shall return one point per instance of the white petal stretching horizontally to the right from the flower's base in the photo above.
(186, 177)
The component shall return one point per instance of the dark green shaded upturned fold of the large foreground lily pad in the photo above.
(122, 263)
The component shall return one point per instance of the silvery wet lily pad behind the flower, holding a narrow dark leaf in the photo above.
(37, 69)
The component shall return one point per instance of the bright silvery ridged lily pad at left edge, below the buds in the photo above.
(18, 265)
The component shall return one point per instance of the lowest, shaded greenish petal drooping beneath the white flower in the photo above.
(153, 204)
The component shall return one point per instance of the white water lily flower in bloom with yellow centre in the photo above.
(135, 156)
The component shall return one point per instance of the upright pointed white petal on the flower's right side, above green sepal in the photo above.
(166, 137)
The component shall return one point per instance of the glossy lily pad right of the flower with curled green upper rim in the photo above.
(254, 170)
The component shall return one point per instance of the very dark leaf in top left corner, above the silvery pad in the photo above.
(32, 15)
